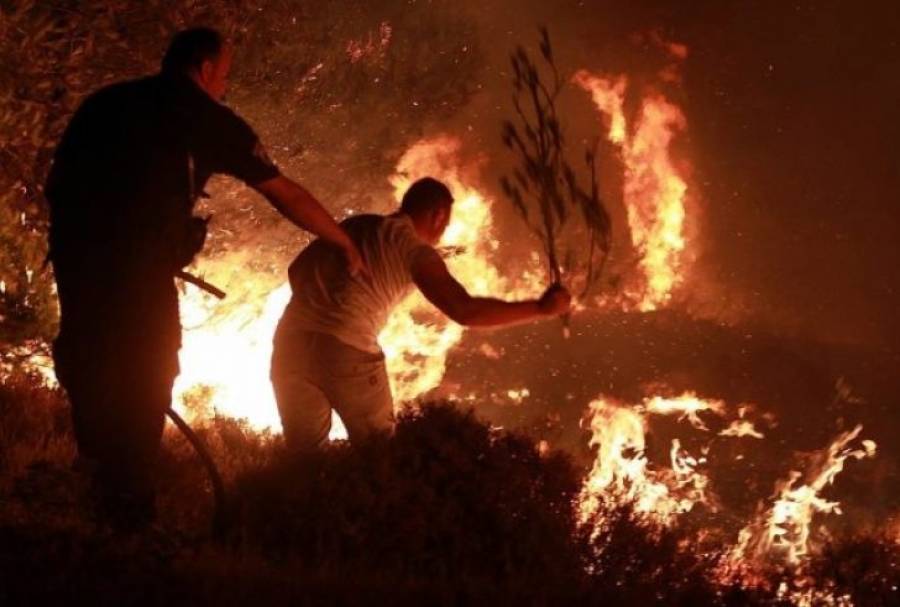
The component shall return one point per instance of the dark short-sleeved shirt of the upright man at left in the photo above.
(132, 157)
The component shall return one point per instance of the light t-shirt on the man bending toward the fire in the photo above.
(326, 299)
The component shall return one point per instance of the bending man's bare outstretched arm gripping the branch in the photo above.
(440, 288)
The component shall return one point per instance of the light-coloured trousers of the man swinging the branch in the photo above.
(313, 373)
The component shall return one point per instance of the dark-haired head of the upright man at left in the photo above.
(204, 56)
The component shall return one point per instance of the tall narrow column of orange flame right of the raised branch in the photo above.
(654, 191)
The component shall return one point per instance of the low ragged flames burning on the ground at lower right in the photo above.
(783, 534)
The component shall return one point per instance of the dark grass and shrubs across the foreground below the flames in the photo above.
(448, 511)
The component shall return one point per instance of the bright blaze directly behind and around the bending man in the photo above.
(227, 345)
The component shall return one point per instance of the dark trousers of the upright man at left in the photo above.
(117, 358)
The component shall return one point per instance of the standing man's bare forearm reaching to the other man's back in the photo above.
(294, 202)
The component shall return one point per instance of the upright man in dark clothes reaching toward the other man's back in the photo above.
(124, 180)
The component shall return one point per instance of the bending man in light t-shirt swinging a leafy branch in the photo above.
(326, 355)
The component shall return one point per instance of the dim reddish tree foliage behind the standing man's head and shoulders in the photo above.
(336, 90)
